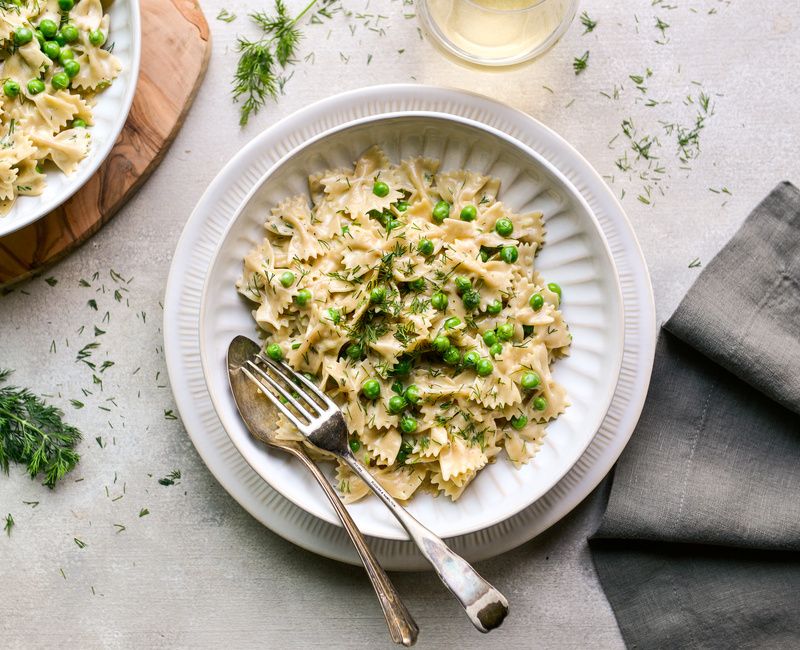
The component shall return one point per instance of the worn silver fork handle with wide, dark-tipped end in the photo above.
(485, 606)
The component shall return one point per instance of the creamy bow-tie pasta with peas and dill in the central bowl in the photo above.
(410, 296)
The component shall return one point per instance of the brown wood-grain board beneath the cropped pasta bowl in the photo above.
(173, 31)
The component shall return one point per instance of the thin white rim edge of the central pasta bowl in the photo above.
(205, 354)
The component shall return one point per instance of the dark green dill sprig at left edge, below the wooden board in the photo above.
(32, 433)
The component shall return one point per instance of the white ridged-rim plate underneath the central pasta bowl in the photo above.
(218, 207)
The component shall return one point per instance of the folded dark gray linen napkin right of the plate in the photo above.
(700, 543)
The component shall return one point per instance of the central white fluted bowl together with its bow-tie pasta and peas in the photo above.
(452, 292)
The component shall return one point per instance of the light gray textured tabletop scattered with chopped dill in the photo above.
(199, 571)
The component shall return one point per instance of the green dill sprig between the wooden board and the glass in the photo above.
(256, 78)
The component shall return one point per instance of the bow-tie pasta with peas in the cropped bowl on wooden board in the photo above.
(55, 57)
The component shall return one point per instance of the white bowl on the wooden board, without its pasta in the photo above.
(110, 113)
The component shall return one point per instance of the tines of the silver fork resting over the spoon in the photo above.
(285, 388)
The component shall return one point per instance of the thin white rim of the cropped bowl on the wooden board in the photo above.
(101, 153)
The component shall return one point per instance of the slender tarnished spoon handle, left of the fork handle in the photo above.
(402, 627)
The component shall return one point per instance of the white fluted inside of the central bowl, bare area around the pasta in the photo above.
(575, 254)
